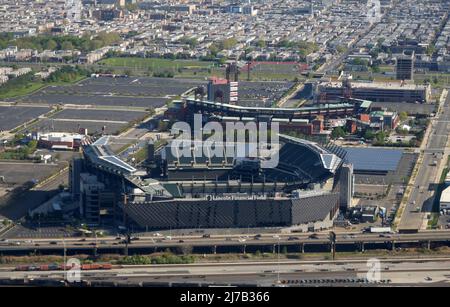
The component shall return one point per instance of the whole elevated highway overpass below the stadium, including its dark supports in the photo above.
(297, 242)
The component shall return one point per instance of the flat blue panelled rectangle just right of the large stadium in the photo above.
(373, 159)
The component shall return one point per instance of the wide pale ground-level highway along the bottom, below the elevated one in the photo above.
(267, 273)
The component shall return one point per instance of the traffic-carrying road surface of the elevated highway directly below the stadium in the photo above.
(143, 242)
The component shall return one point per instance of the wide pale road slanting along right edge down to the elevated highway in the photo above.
(422, 192)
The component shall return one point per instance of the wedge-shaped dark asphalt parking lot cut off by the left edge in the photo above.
(14, 116)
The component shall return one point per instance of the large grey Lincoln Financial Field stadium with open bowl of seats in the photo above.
(304, 191)
